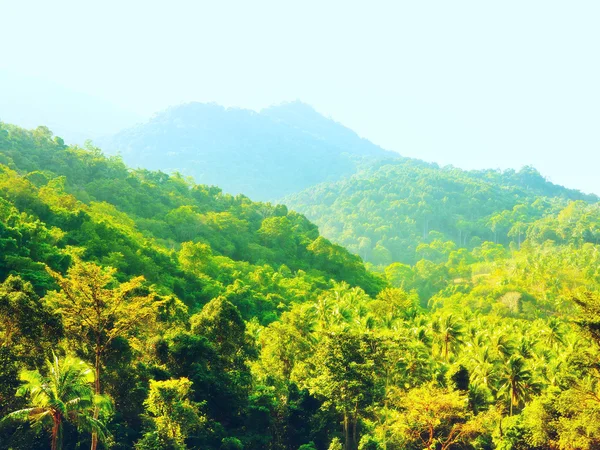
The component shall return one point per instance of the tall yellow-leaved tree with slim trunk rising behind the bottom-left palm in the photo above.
(96, 310)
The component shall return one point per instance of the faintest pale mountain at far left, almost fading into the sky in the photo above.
(74, 116)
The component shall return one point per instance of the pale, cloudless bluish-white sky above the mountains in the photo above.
(475, 84)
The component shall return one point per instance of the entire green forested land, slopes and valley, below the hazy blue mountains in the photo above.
(142, 310)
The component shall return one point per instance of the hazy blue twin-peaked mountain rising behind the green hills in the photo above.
(267, 155)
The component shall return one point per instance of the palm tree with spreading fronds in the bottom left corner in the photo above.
(65, 394)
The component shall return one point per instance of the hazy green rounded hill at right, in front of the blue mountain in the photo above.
(390, 211)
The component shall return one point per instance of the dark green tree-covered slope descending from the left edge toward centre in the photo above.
(143, 223)
